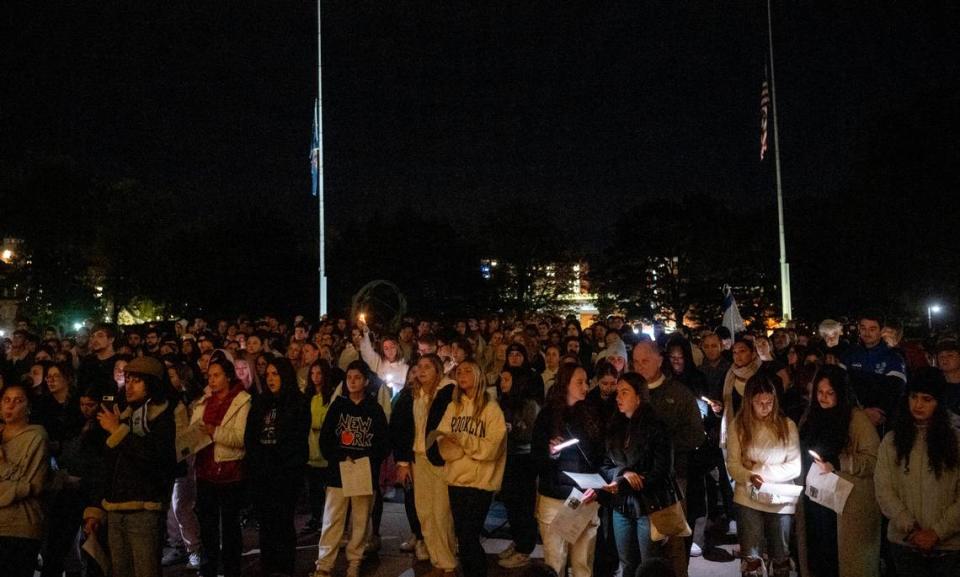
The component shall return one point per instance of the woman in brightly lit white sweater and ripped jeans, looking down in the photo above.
(763, 456)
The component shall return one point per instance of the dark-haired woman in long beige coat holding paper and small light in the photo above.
(839, 438)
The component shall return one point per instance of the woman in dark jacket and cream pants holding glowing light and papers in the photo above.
(566, 416)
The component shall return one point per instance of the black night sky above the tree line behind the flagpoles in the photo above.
(460, 109)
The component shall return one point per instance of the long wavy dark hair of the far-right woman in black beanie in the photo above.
(942, 450)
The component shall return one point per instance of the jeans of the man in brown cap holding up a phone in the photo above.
(136, 538)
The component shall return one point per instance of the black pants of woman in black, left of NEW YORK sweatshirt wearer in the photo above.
(276, 503)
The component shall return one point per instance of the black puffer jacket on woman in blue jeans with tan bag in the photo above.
(640, 445)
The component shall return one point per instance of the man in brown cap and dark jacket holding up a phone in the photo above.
(140, 459)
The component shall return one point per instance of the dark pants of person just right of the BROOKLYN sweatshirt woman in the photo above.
(519, 496)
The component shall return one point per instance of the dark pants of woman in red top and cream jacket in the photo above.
(218, 510)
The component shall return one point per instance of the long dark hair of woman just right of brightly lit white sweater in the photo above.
(827, 431)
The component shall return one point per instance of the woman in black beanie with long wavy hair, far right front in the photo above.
(918, 481)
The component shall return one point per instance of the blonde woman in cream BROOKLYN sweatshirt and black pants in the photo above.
(474, 447)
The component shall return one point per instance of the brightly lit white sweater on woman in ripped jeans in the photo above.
(773, 460)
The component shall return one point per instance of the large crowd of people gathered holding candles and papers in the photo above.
(829, 452)
